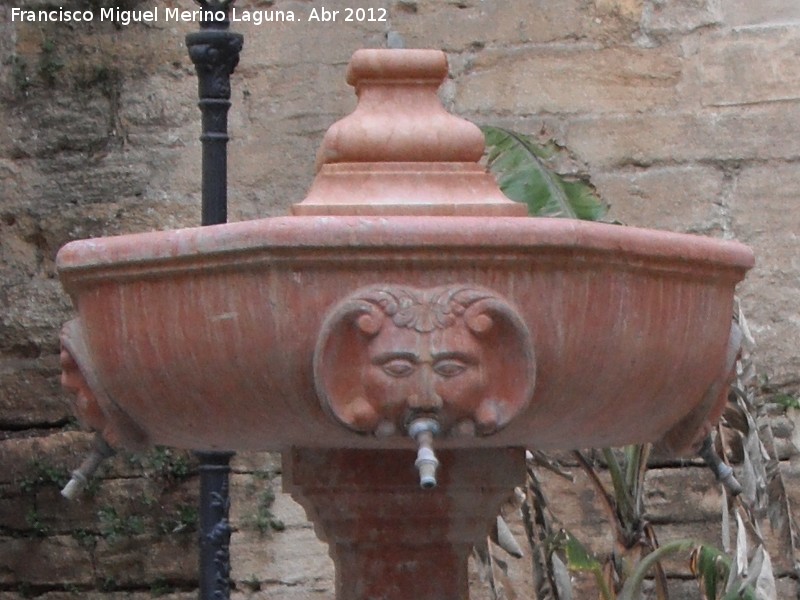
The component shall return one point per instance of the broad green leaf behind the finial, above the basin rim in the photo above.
(518, 162)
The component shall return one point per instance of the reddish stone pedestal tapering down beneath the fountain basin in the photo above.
(388, 538)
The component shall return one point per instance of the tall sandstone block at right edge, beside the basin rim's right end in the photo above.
(765, 216)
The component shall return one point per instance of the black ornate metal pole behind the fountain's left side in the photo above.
(215, 53)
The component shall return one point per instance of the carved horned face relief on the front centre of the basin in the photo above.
(389, 354)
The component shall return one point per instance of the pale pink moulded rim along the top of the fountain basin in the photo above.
(448, 238)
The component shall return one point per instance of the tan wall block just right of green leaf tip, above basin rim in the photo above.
(682, 198)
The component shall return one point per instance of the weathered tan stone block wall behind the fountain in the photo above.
(685, 113)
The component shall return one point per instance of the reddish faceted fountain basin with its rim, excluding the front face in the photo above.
(204, 338)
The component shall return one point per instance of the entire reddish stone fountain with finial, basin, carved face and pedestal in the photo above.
(406, 315)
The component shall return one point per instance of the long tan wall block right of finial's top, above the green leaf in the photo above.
(570, 80)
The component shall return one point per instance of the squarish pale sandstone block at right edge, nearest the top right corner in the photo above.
(720, 71)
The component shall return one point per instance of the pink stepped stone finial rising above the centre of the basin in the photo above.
(400, 152)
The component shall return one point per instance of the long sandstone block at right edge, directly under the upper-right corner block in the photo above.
(741, 133)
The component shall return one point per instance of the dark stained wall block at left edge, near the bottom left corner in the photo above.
(48, 561)
